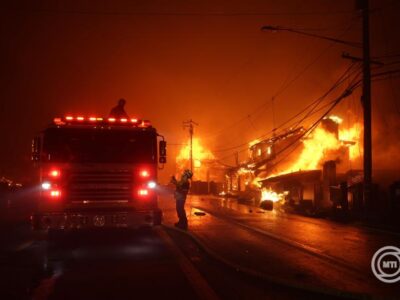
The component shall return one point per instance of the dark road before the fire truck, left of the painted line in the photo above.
(94, 265)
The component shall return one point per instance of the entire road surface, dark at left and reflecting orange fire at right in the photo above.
(231, 251)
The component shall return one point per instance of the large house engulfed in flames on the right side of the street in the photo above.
(307, 171)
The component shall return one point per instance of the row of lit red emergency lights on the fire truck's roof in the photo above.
(72, 120)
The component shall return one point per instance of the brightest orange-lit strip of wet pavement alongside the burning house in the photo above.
(352, 244)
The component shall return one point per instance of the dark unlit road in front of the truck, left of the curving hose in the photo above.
(116, 264)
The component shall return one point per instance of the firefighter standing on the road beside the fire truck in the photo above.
(182, 189)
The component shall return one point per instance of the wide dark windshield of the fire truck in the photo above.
(99, 145)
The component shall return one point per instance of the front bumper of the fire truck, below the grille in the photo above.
(86, 220)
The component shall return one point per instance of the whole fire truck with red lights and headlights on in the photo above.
(97, 172)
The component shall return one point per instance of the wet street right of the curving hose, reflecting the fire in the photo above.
(316, 254)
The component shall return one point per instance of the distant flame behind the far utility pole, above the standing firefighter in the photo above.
(200, 155)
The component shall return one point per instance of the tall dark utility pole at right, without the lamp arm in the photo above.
(366, 102)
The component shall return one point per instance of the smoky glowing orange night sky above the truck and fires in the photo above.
(205, 60)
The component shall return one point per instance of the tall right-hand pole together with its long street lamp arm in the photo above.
(363, 5)
